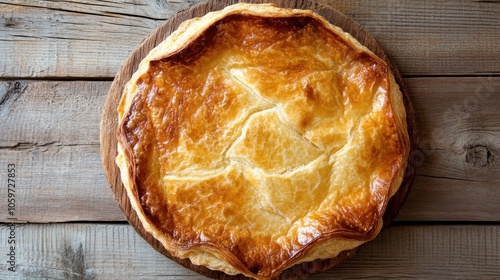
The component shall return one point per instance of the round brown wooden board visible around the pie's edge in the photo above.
(109, 125)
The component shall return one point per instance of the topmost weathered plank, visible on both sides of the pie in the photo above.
(92, 39)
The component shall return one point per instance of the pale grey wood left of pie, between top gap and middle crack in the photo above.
(56, 112)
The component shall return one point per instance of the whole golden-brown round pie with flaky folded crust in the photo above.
(256, 138)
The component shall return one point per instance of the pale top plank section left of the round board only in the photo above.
(75, 38)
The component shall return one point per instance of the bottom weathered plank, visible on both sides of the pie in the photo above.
(115, 251)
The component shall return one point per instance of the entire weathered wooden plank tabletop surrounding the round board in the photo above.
(57, 62)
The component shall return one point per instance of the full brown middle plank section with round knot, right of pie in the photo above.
(458, 175)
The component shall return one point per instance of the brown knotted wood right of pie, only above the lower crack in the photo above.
(467, 111)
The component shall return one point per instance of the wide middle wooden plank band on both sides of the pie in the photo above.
(50, 130)
